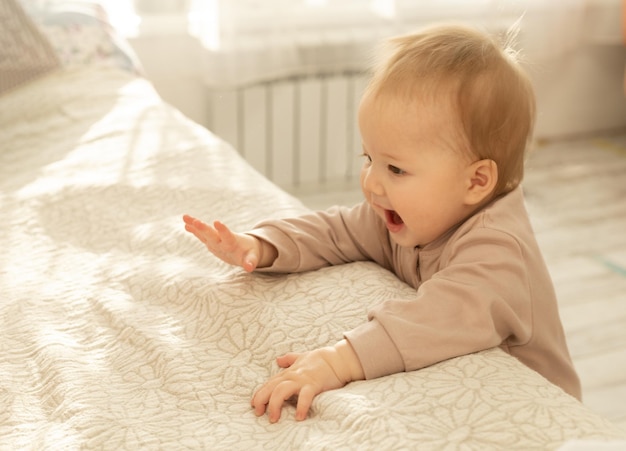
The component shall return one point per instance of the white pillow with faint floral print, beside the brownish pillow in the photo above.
(81, 34)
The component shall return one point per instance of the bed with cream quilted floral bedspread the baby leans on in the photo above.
(119, 331)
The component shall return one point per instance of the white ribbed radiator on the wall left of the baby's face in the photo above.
(298, 131)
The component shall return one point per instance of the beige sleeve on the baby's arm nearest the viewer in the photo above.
(478, 299)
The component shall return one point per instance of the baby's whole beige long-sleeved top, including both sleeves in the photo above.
(482, 284)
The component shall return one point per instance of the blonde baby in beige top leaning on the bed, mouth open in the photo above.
(445, 123)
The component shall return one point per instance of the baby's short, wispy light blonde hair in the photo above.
(493, 96)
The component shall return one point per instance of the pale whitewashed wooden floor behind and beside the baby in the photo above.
(576, 197)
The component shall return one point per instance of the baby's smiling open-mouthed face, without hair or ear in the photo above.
(415, 176)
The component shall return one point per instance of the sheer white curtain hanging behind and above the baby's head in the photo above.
(247, 41)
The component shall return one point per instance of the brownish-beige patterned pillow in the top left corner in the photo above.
(25, 54)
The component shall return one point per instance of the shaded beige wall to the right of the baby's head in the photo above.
(581, 90)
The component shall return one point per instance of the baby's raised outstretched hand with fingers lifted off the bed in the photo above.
(237, 249)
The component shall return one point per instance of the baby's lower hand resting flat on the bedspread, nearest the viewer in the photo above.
(307, 375)
